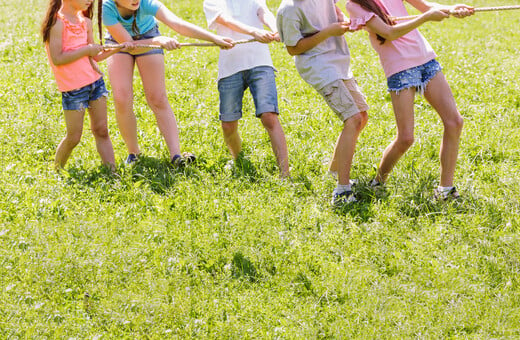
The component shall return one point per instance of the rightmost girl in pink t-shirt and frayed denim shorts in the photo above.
(410, 66)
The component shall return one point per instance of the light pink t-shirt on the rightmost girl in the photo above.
(403, 53)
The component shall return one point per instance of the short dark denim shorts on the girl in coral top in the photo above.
(80, 99)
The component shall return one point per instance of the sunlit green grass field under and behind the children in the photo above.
(209, 253)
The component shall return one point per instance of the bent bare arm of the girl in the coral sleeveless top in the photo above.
(60, 57)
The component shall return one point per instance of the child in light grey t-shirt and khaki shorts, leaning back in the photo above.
(313, 32)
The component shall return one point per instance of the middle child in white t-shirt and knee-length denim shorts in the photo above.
(247, 65)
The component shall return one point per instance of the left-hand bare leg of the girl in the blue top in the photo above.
(121, 74)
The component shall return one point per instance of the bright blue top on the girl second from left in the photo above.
(145, 18)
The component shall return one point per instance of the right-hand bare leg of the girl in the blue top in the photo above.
(151, 69)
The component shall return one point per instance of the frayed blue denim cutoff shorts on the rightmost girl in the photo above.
(417, 77)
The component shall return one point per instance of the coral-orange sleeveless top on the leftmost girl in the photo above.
(78, 73)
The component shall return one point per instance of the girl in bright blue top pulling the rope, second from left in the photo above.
(135, 21)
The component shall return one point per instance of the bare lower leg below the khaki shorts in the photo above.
(346, 145)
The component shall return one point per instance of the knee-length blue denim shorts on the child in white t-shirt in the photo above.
(262, 86)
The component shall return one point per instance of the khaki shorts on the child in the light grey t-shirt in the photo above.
(345, 98)
